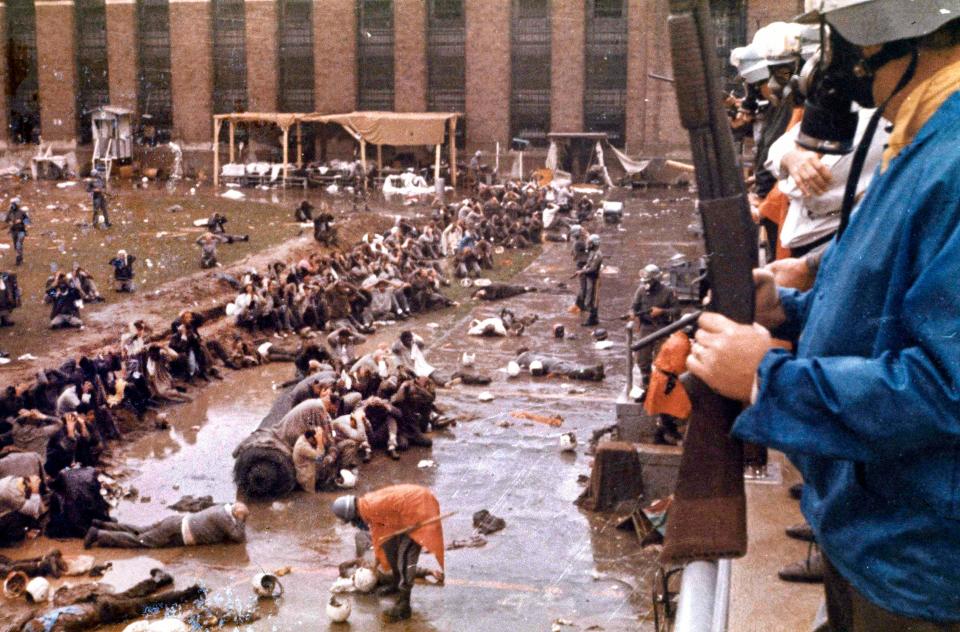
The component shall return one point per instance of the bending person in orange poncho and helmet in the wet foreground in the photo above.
(402, 520)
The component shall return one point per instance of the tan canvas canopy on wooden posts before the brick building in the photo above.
(400, 129)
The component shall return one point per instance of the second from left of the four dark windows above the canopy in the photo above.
(296, 56)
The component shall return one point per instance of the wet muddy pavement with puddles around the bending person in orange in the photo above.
(553, 561)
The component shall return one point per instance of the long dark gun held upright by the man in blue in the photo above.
(708, 514)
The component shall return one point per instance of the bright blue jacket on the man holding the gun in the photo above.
(868, 408)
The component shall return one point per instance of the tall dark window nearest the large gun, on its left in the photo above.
(605, 85)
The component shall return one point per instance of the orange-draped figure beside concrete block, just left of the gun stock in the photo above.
(665, 394)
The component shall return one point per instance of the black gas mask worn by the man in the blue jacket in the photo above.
(836, 78)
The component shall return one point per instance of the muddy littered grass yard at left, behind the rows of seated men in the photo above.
(168, 276)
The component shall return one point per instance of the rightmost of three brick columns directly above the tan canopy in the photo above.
(410, 55)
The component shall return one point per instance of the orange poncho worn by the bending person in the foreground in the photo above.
(400, 506)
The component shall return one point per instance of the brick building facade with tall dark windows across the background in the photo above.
(514, 67)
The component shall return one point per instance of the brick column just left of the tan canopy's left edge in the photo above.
(191, 70)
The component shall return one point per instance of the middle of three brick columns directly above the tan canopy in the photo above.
(335, 55)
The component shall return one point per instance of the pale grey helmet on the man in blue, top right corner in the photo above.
(871, 22)
